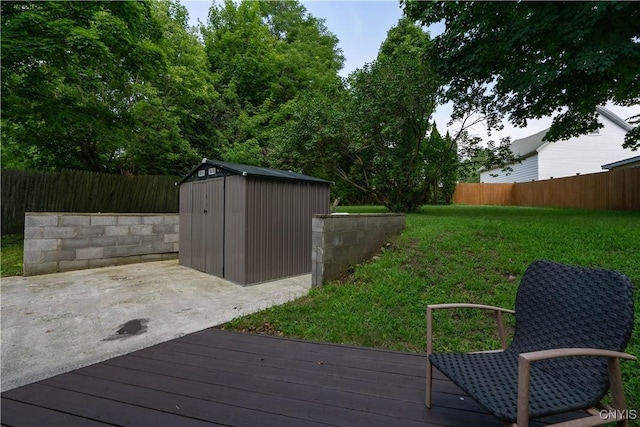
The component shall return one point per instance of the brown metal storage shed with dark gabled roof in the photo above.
(248, 224)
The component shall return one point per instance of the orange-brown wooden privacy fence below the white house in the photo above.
(618, 189)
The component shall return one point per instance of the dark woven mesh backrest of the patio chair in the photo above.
(562, 306)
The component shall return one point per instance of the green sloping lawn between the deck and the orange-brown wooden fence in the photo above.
(457, 254)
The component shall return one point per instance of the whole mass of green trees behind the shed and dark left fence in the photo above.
(131, 88)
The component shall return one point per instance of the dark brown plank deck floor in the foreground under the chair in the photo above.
(216, 377)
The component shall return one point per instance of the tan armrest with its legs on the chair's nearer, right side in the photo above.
(524, 374)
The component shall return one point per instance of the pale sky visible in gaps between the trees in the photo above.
(361, 26)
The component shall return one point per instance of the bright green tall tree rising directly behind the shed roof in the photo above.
(263, 56)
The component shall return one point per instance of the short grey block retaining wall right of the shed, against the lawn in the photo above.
(339, 241)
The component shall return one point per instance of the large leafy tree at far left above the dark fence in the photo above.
(83, 88)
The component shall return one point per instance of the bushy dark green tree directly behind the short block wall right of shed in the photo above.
(371, 131)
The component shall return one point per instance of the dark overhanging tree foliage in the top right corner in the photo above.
(529, 60)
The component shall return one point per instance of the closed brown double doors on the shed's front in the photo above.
(207, 228)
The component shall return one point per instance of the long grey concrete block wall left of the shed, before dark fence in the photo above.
(72, 241)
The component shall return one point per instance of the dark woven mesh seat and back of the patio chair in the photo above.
(557, 306)
